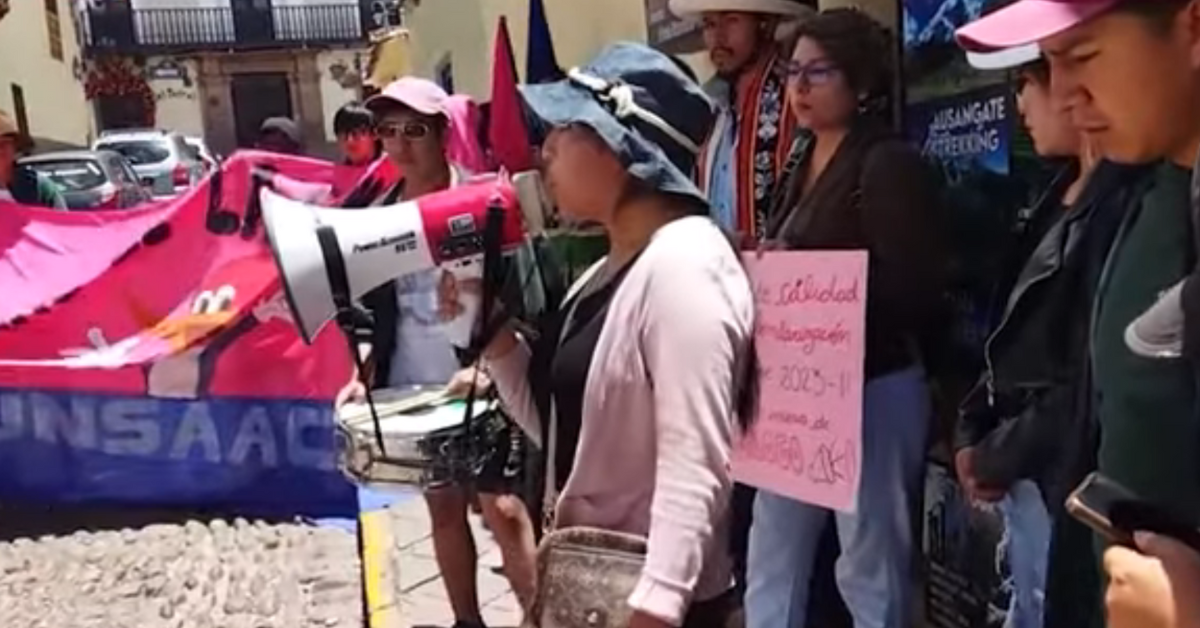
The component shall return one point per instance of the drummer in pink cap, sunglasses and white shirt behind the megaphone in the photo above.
(411, 349)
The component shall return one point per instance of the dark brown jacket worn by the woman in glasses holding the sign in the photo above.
(877, 194)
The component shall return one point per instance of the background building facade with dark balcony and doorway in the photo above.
(219, 68)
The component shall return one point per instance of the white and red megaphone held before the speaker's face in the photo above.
(317, 249)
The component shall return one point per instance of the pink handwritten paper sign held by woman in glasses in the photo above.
(807, 441)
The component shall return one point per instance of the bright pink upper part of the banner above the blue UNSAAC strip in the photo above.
(177, 301)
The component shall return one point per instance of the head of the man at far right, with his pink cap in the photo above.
(1097, 51)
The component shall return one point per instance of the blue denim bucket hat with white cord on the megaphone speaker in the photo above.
(643, 105)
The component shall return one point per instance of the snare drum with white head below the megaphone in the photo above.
(425, 440)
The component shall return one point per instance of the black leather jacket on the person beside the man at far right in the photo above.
(1029, 417)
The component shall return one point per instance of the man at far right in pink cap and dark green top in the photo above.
(1130, 74)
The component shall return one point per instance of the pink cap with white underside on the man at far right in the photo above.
(1028, 22)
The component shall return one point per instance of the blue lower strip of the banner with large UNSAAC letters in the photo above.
(261, 457)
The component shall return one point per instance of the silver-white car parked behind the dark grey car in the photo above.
(163, 159)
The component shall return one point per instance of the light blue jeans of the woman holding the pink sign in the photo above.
(875, 569)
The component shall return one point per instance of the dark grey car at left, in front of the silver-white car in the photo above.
(91, 180)
